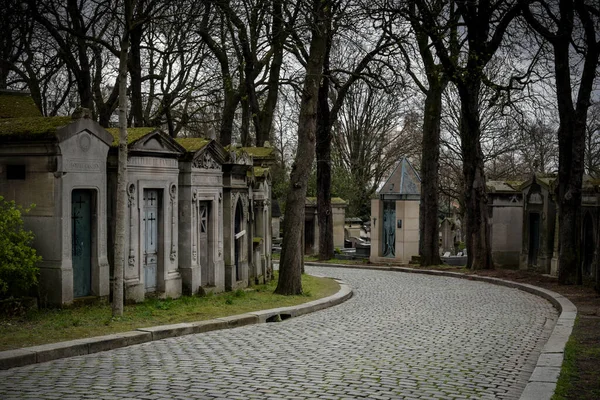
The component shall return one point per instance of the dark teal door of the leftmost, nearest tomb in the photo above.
(81, 242)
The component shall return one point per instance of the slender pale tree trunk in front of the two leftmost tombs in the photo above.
(120, 240)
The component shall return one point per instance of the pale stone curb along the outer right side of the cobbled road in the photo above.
(542, 383)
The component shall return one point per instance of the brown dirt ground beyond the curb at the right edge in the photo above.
(586, 382)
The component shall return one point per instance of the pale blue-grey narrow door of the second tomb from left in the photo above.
(150, 221)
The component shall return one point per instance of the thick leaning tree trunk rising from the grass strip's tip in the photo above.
(290, 265)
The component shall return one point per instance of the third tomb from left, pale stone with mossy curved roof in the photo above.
(201, 261)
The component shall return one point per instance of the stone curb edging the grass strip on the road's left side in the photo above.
(78, 347)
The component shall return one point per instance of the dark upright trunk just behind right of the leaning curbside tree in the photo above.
(323, 153)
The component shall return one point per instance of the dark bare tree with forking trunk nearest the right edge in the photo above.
(571, 28)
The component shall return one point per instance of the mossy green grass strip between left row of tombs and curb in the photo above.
(55, 325)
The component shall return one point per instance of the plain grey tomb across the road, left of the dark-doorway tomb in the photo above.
(505, 204)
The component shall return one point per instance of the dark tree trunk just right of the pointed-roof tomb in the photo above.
(428, 208)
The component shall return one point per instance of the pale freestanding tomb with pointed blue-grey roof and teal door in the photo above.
(395, 216)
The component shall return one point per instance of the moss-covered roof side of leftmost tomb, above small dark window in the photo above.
(35, 128)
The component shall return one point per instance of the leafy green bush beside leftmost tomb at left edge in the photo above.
(18, 261)
